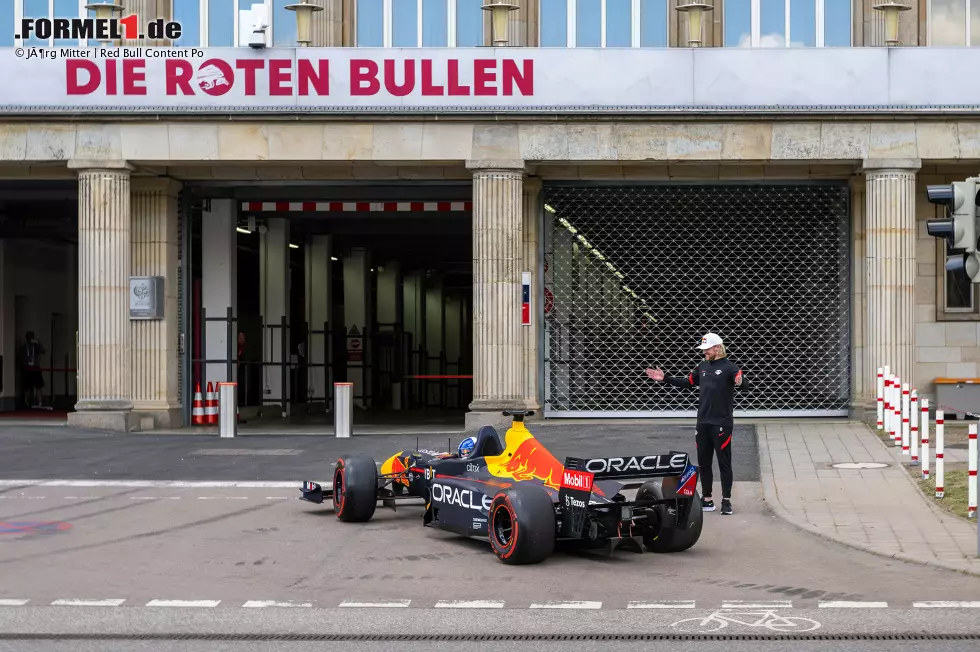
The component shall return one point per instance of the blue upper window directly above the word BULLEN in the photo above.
(419, 23)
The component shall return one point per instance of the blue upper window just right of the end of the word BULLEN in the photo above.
(603, 23)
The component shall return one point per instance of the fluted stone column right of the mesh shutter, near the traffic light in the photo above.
(890, 235)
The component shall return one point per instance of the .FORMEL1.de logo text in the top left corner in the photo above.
(98, 29)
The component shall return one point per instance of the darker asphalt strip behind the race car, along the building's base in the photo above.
(61, 453)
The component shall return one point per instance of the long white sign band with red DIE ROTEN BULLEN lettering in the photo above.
(440, 79)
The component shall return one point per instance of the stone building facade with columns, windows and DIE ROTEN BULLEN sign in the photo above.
(768, 185)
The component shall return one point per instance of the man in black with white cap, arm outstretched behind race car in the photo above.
(716, 377)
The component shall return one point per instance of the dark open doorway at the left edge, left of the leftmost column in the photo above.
(38, 298)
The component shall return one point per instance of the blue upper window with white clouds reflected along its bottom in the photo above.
(787, 23)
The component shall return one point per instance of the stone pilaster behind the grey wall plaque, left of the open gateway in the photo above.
(154, 253)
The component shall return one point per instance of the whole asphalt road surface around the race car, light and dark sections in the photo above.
(228, 561)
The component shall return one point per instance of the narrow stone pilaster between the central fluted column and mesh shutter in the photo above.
(531, 335)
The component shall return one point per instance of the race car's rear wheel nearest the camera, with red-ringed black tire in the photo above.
(522, 524)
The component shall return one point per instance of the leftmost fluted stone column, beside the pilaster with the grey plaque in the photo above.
(104, 330)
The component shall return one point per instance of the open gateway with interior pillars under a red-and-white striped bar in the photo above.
(295, 289)
